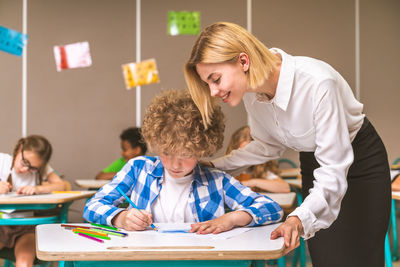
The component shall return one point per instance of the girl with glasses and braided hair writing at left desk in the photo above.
(24, 173)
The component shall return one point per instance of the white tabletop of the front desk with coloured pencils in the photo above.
(254, 244)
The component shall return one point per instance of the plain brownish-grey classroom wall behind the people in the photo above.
(82, 111)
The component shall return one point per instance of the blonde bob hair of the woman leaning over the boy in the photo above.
(223, 42)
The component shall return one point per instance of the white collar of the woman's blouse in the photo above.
(285, 82)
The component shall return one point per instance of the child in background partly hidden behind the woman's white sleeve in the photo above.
(262, 177)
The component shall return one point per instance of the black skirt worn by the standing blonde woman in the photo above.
(357, 236)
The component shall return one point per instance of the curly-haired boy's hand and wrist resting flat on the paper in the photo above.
(221, 224)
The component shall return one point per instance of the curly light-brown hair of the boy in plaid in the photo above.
(173, 125)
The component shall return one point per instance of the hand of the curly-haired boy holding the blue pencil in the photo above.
(133, 220)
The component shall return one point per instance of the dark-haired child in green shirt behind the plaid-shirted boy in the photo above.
(131, 146)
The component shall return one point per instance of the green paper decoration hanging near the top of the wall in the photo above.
(183, 23)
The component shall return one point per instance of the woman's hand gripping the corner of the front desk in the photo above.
(291, 230)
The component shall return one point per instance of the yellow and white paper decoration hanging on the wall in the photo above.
(140, 73)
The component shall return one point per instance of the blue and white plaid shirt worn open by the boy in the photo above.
(141, 179)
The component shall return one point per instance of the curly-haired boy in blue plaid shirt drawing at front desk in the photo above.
(173, 187)
